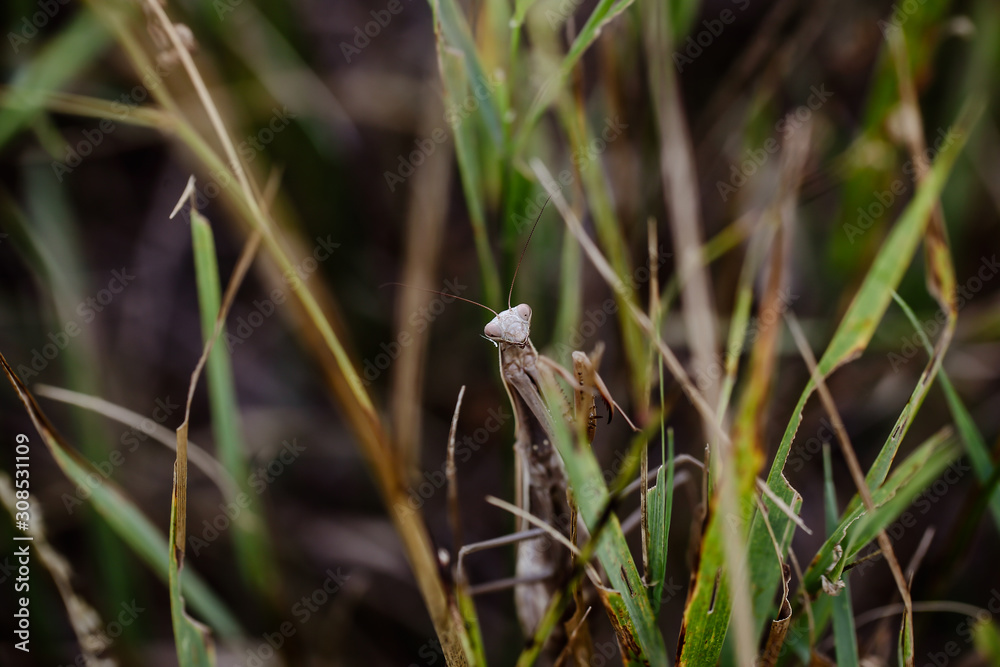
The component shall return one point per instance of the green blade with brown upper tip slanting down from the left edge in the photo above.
(122, 515)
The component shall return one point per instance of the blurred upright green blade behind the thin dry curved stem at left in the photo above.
(253, 552)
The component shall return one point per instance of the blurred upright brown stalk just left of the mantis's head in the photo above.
(425, 221)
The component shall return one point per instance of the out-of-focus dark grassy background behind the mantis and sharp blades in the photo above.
(401, 142)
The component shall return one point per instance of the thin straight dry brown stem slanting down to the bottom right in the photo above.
(856, 474)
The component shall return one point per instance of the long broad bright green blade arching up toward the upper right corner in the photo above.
(851, 338)
